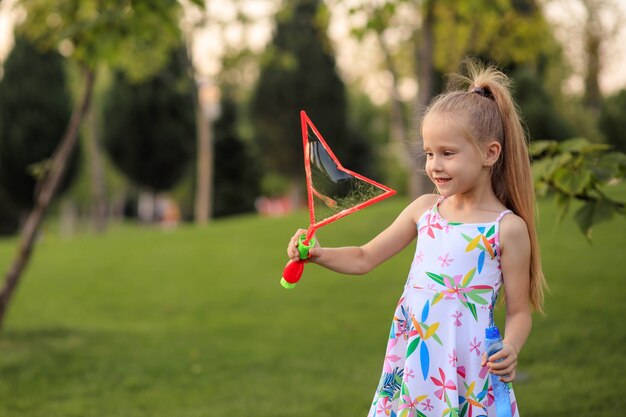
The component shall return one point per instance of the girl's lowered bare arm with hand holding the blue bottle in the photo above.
(515, 263)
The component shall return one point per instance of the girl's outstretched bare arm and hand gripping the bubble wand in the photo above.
(362, 259)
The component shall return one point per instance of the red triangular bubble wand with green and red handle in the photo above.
(333, 192)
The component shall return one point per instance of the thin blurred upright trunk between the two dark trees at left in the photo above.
(96, 173)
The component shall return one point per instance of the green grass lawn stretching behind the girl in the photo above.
(194, 322)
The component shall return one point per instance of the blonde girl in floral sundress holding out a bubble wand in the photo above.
(476, 235)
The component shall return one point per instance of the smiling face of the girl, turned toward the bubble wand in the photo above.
(453, 163)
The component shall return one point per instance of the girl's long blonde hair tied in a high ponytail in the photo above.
(484, 98)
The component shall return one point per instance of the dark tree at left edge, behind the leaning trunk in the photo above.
(34, 108)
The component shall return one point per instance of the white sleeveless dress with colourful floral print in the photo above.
(432, 363)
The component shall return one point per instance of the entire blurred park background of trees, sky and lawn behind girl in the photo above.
(151, 175)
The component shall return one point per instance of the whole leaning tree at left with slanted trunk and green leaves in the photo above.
(125, 39)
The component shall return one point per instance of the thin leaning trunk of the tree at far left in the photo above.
(45, 193)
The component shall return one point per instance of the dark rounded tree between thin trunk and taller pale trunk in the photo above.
(149, 129)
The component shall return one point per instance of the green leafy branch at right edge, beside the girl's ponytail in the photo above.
(578, 169)
